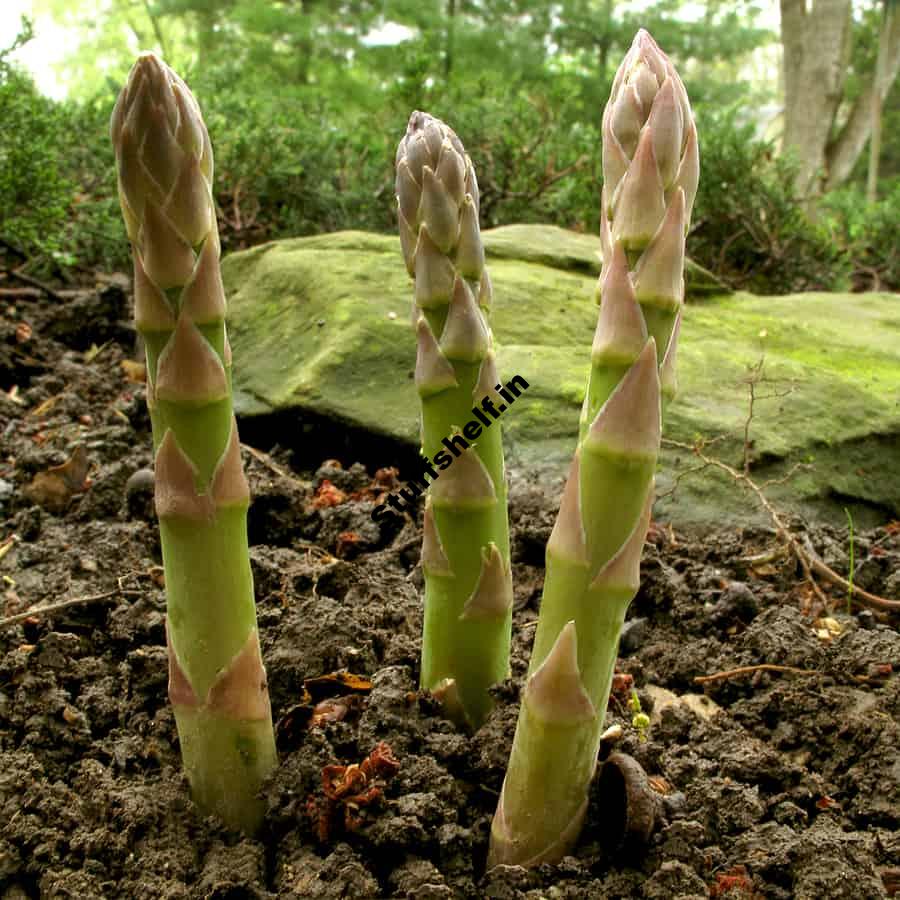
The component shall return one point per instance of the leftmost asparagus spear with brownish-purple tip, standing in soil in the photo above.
(217, 683)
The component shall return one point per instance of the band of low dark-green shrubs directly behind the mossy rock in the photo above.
(302, 161)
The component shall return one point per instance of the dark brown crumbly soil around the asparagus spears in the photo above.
(777, 785)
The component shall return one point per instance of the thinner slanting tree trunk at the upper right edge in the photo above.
(843, 153)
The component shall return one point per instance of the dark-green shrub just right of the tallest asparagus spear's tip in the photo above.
(749, 225)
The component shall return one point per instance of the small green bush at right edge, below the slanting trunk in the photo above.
(868, 232)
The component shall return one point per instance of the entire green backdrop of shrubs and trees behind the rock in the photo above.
(306, 104)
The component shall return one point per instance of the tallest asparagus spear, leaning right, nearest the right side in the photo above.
(650, 166)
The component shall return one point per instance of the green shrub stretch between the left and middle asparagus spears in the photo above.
(294, 164)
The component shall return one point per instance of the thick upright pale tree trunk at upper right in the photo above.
(815, 35)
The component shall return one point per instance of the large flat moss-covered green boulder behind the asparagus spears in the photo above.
(321, 326)
